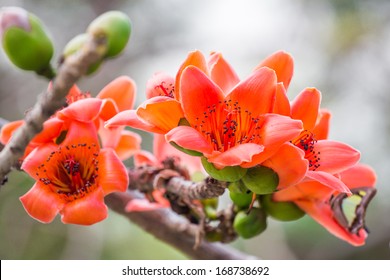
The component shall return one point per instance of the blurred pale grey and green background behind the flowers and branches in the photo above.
(341, 47)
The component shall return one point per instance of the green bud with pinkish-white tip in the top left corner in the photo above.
(25, 40)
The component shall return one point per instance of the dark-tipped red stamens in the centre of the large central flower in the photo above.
(225, 125)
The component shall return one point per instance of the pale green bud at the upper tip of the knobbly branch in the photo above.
(116, 27)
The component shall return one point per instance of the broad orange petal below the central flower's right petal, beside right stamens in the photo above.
(290, 164)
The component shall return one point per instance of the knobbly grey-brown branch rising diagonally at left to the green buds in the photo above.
(49, 102)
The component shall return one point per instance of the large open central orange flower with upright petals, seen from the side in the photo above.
(229, 120)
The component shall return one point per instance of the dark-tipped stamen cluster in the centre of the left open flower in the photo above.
(71, 171)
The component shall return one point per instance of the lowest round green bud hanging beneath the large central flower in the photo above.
(250, 225)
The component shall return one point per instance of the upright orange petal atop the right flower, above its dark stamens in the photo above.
(305, 107)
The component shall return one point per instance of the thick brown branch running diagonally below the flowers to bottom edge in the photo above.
(173, 229)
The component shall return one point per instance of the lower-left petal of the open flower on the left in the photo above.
(41, 203)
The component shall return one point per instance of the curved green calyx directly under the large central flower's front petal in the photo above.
(227, 174)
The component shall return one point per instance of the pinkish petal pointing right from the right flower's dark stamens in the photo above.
(335, 156)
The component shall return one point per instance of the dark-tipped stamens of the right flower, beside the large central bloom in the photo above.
(306, 142)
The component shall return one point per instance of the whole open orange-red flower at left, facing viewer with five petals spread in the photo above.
(72, 178)
